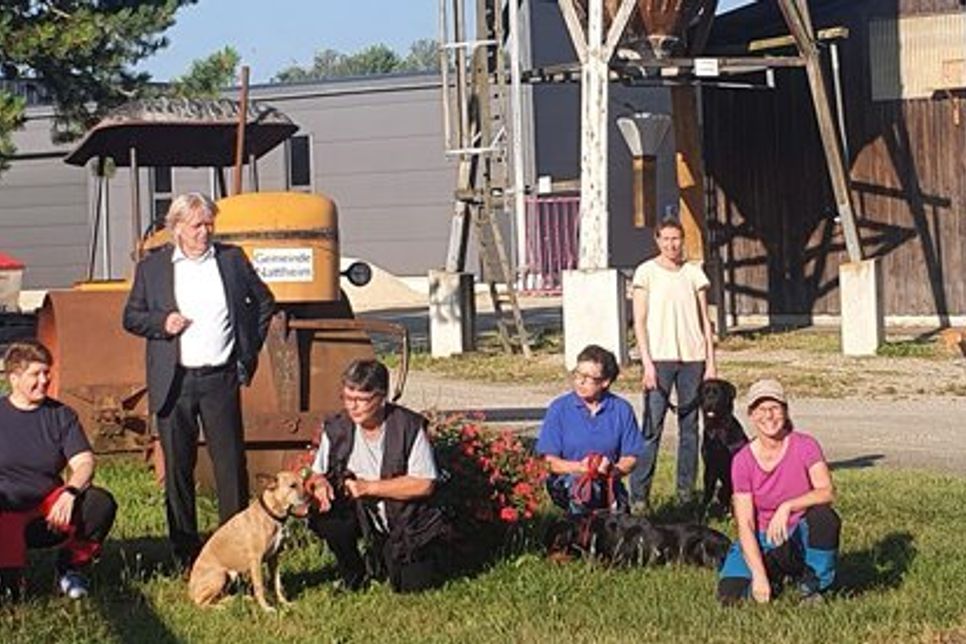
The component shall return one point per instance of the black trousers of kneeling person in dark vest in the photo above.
(340, 528)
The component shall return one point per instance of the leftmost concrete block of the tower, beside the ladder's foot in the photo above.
(452, 311)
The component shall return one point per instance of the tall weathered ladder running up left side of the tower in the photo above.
(478, 136)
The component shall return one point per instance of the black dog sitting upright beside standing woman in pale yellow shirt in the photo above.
(723, 437)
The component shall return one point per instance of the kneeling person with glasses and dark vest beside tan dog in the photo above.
(374, 476)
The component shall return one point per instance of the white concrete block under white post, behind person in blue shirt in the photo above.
(595, 312)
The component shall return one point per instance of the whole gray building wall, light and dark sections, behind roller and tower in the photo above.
(377, 149)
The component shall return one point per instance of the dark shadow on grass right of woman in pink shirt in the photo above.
(880, 567)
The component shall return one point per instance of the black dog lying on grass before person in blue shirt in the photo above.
(626, 540)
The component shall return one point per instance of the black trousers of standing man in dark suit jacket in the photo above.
(211, 397)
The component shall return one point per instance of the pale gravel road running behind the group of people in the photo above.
(901, 412)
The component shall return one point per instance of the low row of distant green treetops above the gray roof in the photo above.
(374, 59)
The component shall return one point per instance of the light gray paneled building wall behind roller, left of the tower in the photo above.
(376, 149)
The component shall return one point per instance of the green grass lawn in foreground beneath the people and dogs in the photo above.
(903, 569)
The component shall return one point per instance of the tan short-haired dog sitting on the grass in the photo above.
(246, 540)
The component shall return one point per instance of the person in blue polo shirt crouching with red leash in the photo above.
(590, 438)
